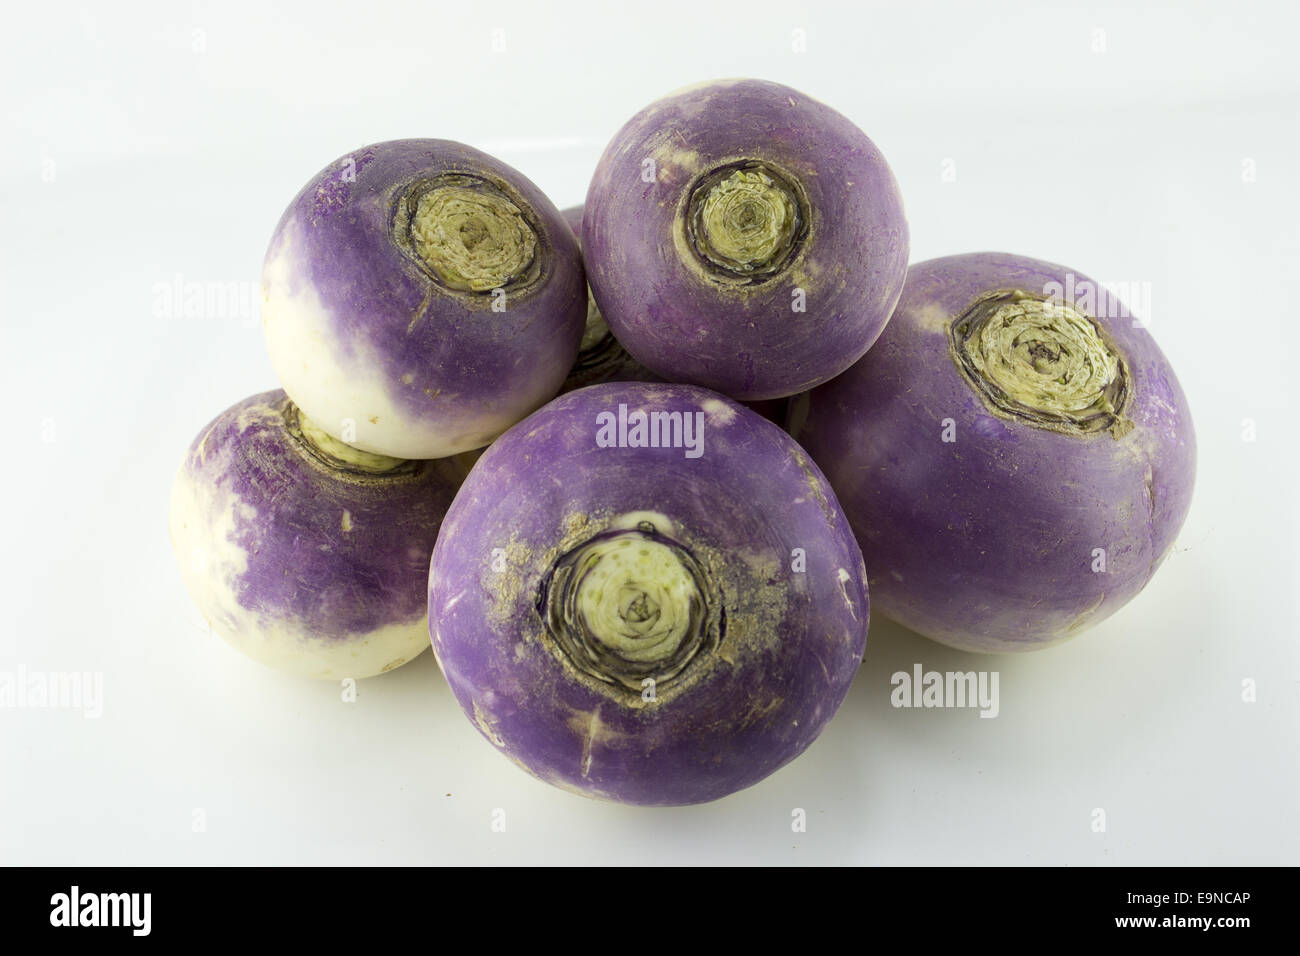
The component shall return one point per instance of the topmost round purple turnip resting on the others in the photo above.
(825, 198)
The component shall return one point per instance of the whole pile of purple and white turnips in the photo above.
(645, 590)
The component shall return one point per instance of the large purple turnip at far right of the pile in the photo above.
(989, 542)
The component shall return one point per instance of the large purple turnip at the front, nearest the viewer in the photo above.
(766, 655)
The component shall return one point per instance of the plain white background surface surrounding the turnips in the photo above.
(1150, 144)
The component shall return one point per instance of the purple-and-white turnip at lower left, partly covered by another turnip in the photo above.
(304, 555)
